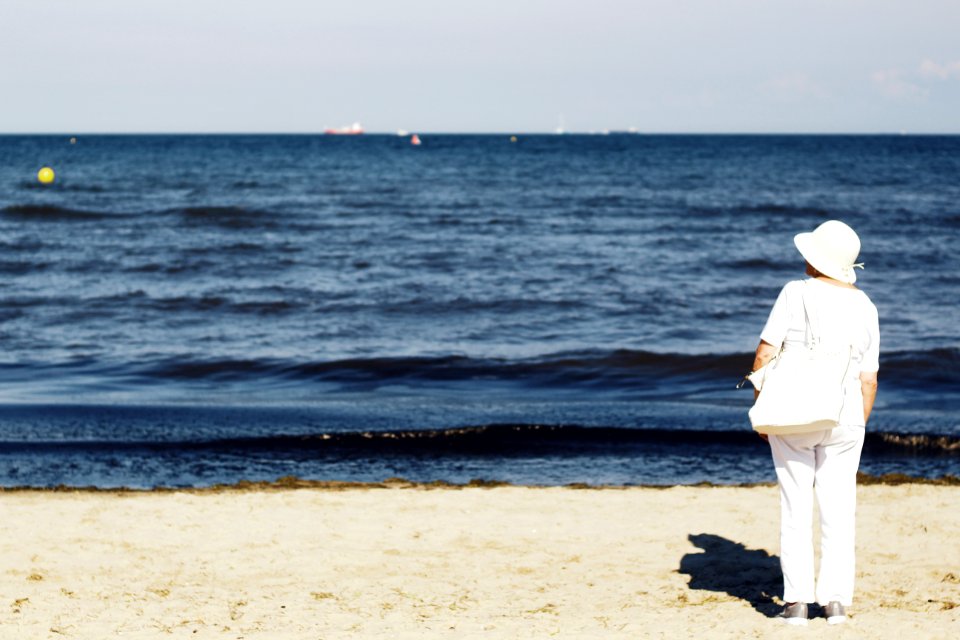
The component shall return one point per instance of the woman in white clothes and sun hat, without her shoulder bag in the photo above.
(823, 463)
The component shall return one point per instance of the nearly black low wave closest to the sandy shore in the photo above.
(494, 439)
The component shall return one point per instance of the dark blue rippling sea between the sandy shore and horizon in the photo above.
(195, 310)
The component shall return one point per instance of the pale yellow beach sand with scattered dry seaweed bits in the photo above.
(504, 562)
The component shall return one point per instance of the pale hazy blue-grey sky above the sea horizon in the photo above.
(484, 65)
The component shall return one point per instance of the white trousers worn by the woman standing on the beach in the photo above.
(824, 463)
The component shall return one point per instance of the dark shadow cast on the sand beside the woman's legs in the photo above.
(729, 567)
